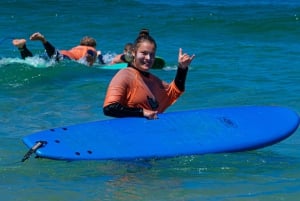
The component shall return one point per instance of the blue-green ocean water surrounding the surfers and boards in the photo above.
(247, 53)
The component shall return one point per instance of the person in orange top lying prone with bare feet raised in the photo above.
(86, 50)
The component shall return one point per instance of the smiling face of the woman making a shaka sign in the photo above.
(144, 56)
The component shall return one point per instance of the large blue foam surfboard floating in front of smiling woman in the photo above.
(203, 131)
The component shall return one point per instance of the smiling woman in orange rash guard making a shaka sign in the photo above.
(135, 92)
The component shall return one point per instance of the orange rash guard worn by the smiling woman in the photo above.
(132, 89)
